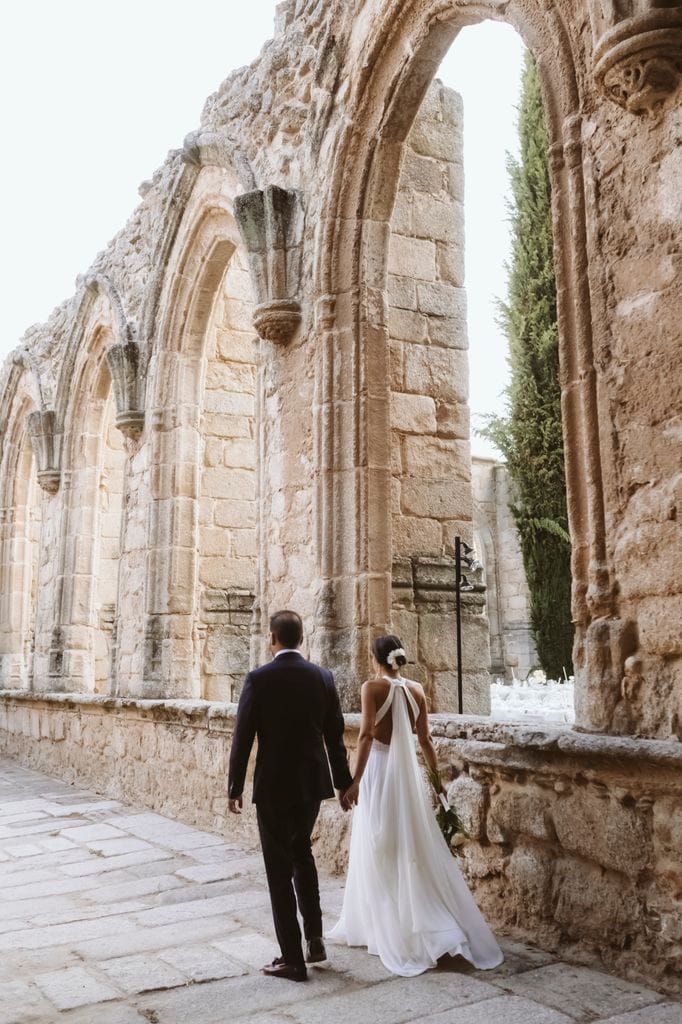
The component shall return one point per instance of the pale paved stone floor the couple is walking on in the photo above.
(112, 916)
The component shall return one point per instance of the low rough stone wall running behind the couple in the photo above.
(576, 840)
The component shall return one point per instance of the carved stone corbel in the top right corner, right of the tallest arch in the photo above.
(638, 54)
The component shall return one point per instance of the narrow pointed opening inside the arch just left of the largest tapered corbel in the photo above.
(229, 487)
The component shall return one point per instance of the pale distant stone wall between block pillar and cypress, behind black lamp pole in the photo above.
(507, 598)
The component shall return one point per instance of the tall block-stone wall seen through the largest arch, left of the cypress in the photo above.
(430, 379)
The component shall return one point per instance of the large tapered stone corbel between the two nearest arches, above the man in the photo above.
(271, 224)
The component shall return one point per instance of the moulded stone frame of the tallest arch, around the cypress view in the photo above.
(397, 62)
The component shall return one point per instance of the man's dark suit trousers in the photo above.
(292, 876)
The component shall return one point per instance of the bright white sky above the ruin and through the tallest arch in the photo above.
(95, 96)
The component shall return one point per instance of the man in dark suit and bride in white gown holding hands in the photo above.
(405, 899)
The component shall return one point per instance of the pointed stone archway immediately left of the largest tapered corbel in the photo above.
(201, 577)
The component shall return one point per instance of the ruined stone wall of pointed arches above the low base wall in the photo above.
(294, 173)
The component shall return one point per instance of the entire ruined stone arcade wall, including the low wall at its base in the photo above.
(294, 175)
